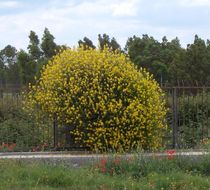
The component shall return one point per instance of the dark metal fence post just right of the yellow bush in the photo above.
(175, 119)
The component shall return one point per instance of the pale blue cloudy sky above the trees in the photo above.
(72, 20)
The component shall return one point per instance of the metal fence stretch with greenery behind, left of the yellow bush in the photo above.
(20, 131)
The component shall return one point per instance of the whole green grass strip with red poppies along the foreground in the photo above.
(154, 173)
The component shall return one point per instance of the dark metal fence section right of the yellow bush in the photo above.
(188, 116)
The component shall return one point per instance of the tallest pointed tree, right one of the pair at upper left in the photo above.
(48, 45)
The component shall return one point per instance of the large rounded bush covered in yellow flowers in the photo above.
(108, 102)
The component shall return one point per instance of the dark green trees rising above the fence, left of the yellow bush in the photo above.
(20, 67)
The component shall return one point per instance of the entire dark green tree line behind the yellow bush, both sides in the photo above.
(168, 61)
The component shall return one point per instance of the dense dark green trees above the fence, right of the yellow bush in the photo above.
(169, 62)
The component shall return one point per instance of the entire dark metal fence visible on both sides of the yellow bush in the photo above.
(188, 119)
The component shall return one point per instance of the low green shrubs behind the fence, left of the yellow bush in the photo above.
(17, 127)
